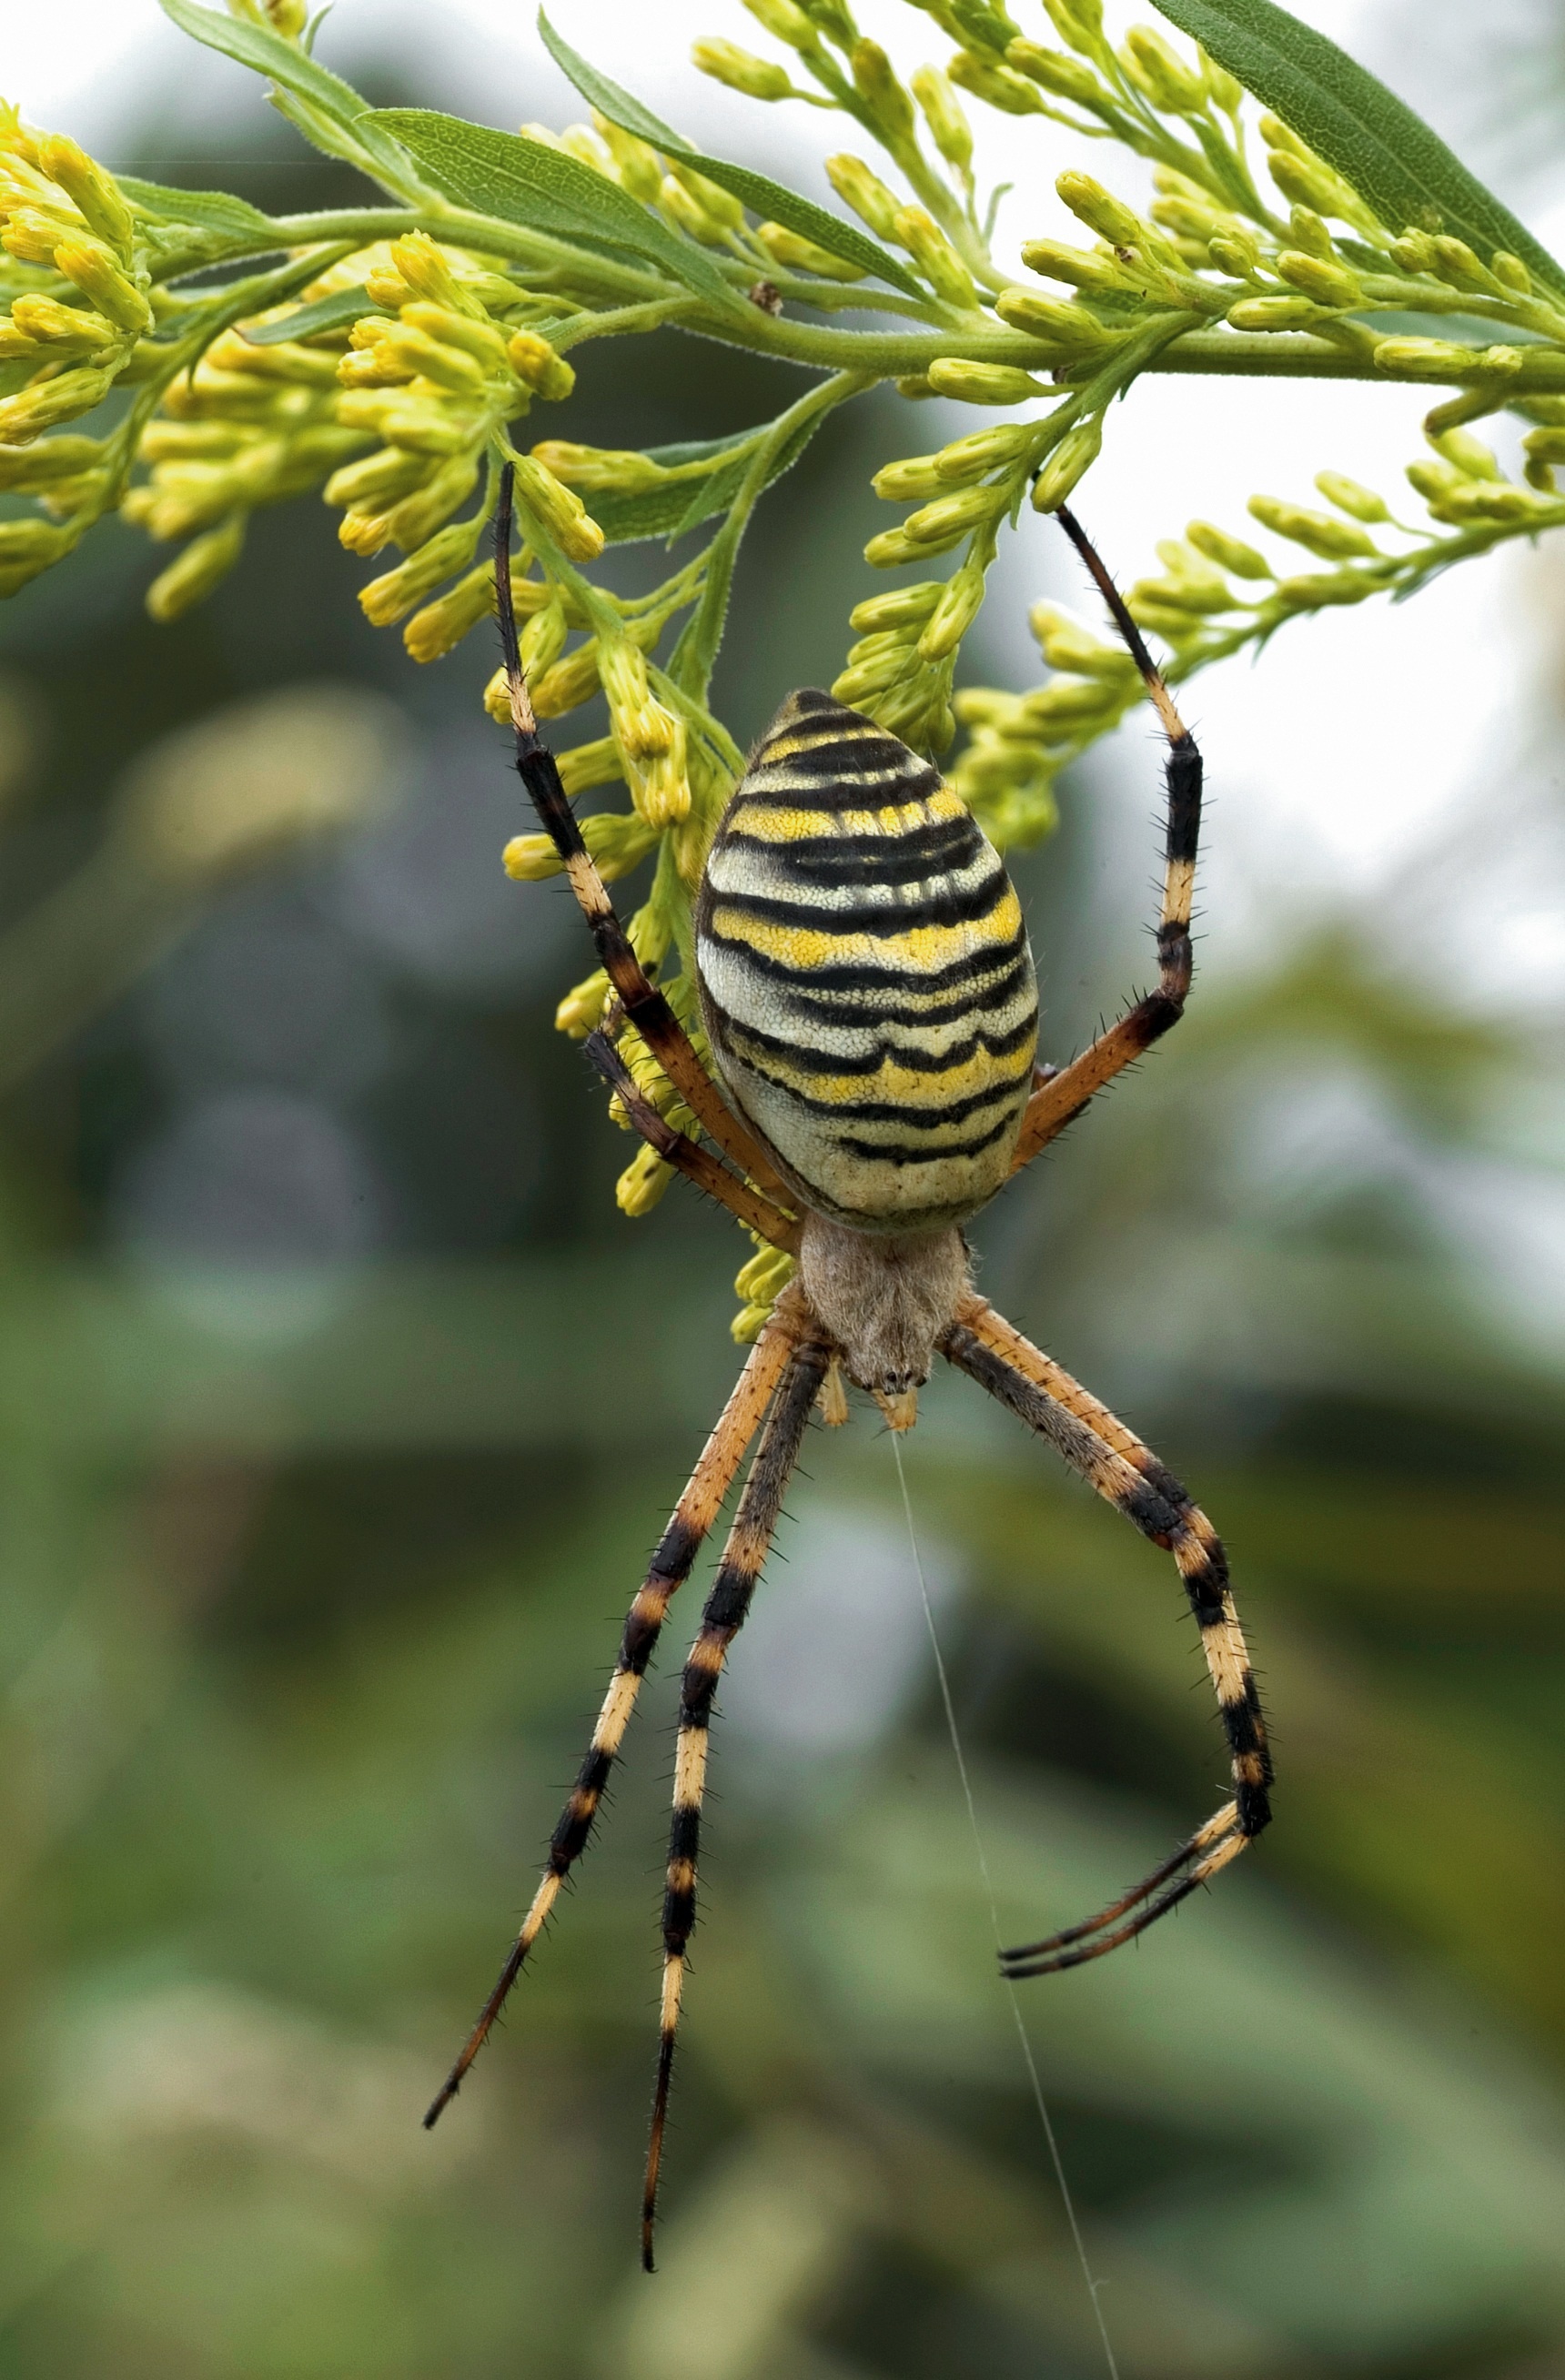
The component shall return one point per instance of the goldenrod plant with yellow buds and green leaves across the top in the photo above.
(185, 358)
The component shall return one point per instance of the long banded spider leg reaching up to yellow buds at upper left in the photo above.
(642, 1001)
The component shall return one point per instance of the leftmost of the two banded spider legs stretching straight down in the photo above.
(671, 1567)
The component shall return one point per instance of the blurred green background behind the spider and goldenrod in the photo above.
(339, 1410)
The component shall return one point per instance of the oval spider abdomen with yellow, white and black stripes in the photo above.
(866, 977)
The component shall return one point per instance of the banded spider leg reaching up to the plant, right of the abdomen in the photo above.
(1064, 1098)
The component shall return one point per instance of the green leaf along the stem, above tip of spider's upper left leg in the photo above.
(544, 189)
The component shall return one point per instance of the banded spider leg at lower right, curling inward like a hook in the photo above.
(1128, 1477)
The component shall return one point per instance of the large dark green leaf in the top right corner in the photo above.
(1357, 125)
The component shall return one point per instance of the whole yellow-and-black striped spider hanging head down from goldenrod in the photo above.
(873, 1015)
